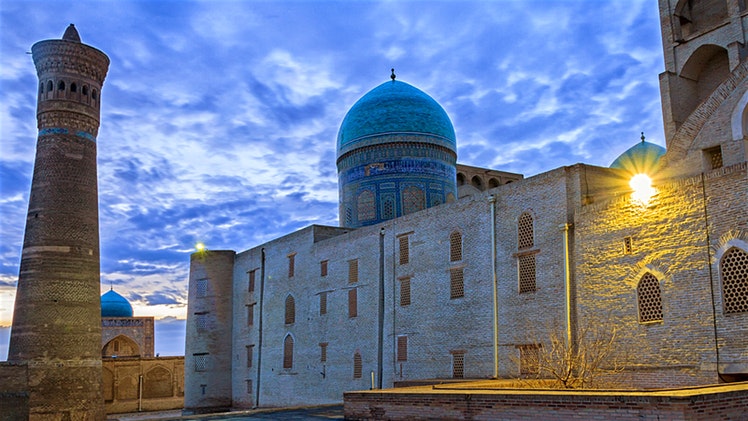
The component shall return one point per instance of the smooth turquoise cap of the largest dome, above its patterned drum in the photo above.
(394, 107)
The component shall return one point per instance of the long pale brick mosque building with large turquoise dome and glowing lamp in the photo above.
(439, 270)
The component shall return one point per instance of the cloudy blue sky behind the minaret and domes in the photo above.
(219, 118)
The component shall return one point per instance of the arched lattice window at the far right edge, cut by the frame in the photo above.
(733, 270)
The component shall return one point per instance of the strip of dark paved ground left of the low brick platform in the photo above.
(334, 412)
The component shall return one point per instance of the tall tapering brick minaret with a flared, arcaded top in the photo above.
(57, 317)
